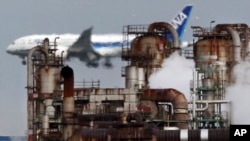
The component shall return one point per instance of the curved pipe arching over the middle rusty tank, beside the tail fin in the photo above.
(170, 28)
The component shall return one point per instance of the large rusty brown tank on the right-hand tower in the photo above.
(218, 52)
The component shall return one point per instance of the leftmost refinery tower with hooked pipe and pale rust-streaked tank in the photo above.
(43, 79)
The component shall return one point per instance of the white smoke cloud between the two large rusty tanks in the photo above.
(176, 72)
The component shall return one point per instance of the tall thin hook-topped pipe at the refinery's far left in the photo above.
(30, 86)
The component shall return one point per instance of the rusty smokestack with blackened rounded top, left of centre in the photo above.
(68, 101)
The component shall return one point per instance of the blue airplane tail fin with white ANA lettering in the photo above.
(180, 21)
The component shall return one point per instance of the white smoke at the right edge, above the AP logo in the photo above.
(239, 94)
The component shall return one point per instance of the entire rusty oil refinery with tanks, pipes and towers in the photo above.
(58, 111)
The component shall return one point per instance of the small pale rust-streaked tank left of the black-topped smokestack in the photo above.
(48, 77)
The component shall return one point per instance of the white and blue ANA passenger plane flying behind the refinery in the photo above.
(87, 47)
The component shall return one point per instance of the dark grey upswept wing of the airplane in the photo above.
(82, 48)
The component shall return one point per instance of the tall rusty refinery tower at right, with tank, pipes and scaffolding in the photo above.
(216, 51)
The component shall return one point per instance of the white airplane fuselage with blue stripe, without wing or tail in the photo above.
(108, 48)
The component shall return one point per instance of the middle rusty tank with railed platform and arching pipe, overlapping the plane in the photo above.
(145, 54)
